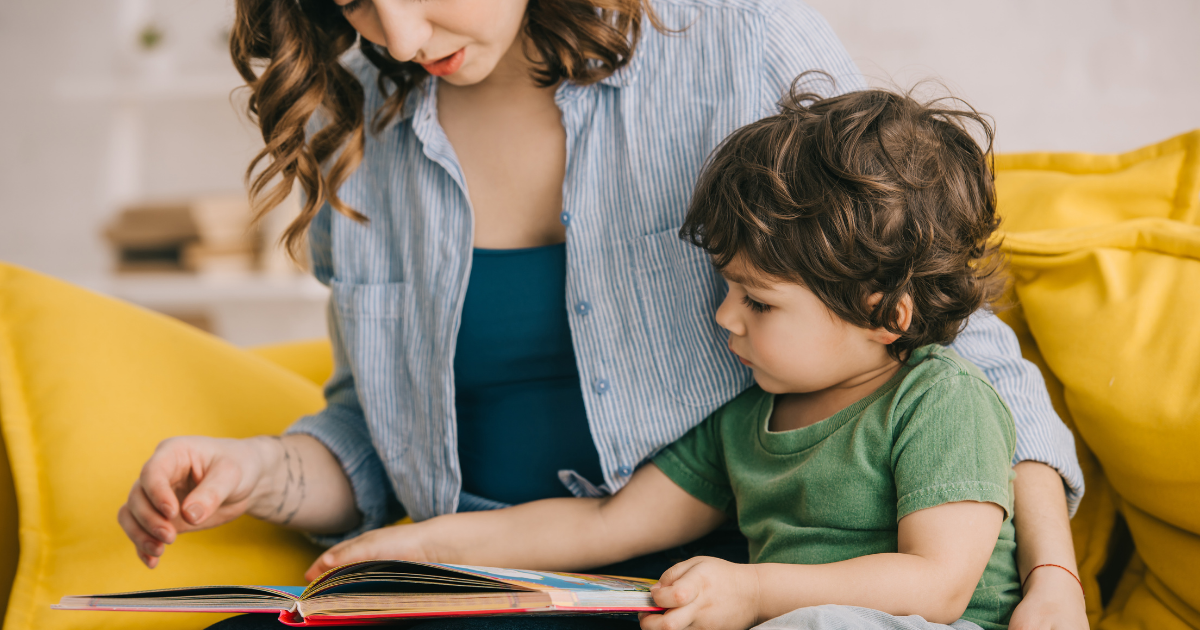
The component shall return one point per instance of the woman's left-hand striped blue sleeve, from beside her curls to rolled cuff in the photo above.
(341, 427)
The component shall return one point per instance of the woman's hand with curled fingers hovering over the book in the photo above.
(189, 484)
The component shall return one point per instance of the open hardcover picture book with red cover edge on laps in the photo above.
(379, 591)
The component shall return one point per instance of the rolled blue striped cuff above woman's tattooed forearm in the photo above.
(346, 436)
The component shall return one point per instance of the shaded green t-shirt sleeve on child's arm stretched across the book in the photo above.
(697, 464)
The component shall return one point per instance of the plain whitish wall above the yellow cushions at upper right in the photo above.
(1103, 76)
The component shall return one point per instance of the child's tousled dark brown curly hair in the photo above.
(871, 193)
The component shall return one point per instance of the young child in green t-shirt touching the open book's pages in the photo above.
(871, 466)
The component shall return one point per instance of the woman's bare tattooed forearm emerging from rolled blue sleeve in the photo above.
(303, 487)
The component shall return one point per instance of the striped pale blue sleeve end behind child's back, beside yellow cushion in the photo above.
(1041, 435)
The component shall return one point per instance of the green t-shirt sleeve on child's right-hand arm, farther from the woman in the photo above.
(957, 445)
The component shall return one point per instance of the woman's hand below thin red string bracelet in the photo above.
(1053, 602)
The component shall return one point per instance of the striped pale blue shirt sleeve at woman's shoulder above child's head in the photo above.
(799, 40)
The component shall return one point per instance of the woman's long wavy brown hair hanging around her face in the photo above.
(289, 52)
